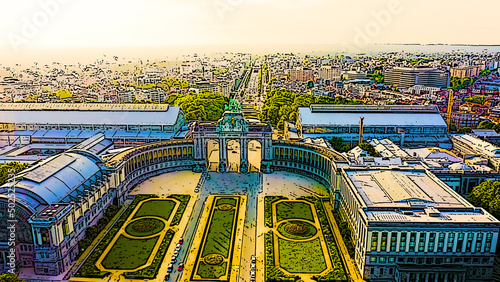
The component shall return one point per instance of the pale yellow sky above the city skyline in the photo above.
(31, 24)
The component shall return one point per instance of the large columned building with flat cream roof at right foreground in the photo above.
(407, 225)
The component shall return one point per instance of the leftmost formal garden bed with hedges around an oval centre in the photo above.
(137, 238)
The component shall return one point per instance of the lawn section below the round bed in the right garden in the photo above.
(301, 257)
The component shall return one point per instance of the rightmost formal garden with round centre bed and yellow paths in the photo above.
(300, 242)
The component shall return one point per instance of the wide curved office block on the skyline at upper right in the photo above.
(408, 77)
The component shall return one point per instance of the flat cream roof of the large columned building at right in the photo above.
(411, 195)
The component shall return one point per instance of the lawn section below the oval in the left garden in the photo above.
(129, 253)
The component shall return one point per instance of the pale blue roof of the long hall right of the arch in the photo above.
(350, 117)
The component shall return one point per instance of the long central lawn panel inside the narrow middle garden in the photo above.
(218, 239)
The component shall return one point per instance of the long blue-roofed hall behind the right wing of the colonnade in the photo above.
(409, 126)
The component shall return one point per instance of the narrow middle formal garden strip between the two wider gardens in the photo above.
(214, 256)
